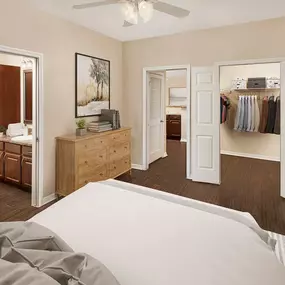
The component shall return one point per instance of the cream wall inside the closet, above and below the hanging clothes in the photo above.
(265, 145)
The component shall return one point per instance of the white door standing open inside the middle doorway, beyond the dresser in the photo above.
(156, 113)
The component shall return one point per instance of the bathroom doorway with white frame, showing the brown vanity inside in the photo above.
(22, 151)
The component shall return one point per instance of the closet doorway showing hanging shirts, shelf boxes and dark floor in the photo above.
(251, 128)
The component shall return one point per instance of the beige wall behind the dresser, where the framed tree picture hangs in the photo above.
(24, 27)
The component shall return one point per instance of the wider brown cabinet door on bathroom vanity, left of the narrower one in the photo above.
(12, 164)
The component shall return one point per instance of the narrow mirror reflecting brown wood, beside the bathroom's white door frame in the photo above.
(28, 97)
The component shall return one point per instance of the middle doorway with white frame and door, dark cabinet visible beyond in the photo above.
(158, 97)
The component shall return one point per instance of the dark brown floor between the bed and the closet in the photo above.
(248, 185)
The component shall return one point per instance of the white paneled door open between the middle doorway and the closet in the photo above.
(205, 135)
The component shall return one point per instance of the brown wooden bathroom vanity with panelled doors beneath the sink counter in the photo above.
(16, 162)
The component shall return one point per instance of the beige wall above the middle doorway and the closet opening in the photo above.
(198, 48)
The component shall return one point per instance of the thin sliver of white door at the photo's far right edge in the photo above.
(282, 128)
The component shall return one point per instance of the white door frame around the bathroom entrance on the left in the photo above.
(38, 122)
